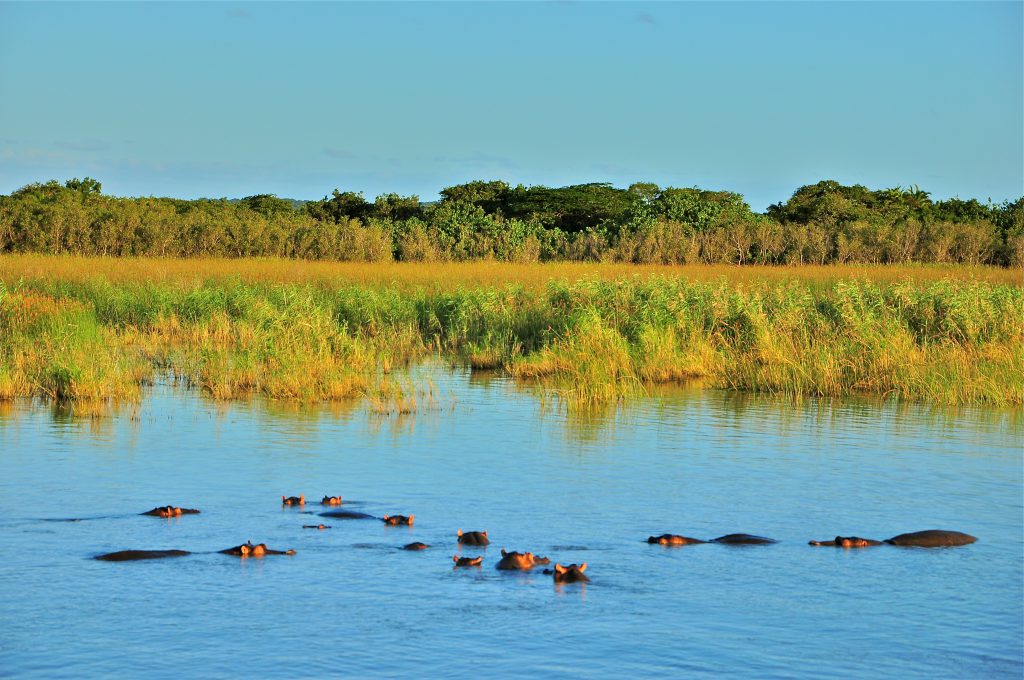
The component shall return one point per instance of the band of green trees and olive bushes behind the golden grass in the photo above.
(822, 224)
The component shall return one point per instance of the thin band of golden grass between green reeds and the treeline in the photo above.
(451, 276)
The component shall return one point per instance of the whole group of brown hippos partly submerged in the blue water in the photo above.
(524, 561)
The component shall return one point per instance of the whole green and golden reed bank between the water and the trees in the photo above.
(594, 334)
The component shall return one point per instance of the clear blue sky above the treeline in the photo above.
(193, 100)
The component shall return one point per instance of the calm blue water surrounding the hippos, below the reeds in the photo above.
(490, 457)
